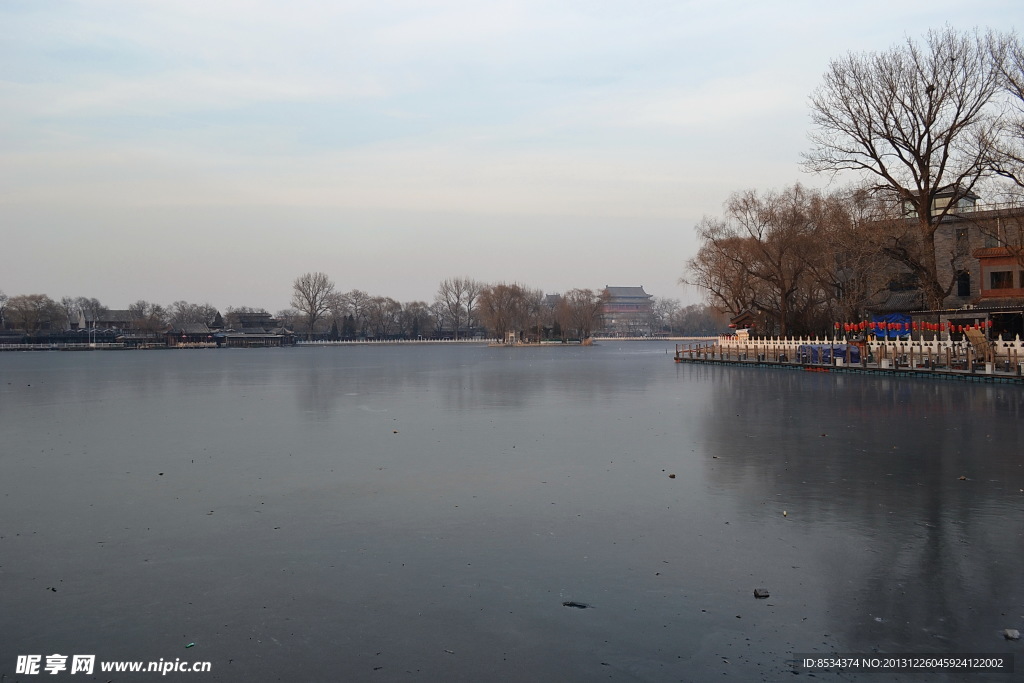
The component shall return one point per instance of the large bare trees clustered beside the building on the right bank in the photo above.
(922, 127)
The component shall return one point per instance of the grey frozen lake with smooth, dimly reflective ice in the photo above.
(394, 514)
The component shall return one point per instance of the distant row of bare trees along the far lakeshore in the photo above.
(462, 308)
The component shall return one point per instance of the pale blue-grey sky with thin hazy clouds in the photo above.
(215, 151)
